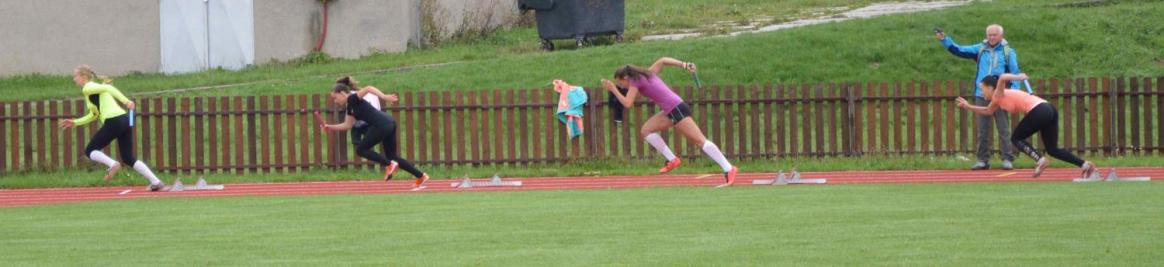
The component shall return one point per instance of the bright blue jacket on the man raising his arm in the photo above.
(991, 62)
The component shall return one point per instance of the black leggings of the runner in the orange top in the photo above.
(1045, 121)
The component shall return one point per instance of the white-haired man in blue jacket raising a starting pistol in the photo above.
(993, 58)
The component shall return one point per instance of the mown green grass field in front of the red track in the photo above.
(1026, 224)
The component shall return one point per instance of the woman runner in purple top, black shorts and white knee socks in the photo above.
(676, 114)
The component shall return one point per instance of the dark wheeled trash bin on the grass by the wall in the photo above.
(577, 19)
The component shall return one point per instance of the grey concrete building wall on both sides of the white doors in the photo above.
(120, 37)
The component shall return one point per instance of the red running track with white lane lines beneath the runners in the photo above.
(26, 198)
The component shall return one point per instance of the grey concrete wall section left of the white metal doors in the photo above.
(53, 37)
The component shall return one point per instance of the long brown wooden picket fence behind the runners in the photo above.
(276, 133)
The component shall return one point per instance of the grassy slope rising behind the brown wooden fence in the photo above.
(1115, 40)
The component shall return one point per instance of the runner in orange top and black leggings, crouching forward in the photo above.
(1041, 117)
